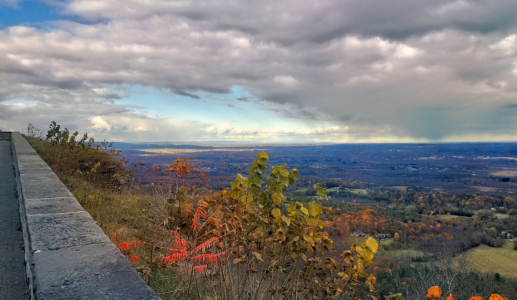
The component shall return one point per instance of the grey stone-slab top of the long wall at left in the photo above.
(67, 255)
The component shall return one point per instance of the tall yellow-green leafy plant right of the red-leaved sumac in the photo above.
(282, 244)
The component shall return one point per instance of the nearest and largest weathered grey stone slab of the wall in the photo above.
(96, 271)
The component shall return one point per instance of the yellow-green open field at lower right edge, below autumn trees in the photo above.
(496, 260)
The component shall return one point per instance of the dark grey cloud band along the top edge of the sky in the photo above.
(288, 22)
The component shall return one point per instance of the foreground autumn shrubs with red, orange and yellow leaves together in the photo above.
(276, 248)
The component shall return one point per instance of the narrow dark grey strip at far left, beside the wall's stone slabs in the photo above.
(13, 283)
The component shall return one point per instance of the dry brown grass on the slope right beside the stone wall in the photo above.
(131, 211)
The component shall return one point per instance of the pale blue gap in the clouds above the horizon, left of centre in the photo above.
(210, 108)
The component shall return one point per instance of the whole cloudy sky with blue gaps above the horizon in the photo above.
(282, 71)
